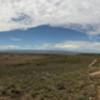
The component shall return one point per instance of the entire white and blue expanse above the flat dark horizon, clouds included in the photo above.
(50, 25)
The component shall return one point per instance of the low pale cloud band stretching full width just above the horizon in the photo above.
(74, 46)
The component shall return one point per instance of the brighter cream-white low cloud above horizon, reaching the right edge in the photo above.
(76, 46)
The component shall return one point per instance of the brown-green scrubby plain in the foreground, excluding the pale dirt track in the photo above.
(47, 77)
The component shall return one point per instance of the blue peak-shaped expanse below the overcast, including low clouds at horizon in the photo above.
(49, 38)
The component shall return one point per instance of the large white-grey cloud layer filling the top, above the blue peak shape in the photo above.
(83, 15)
